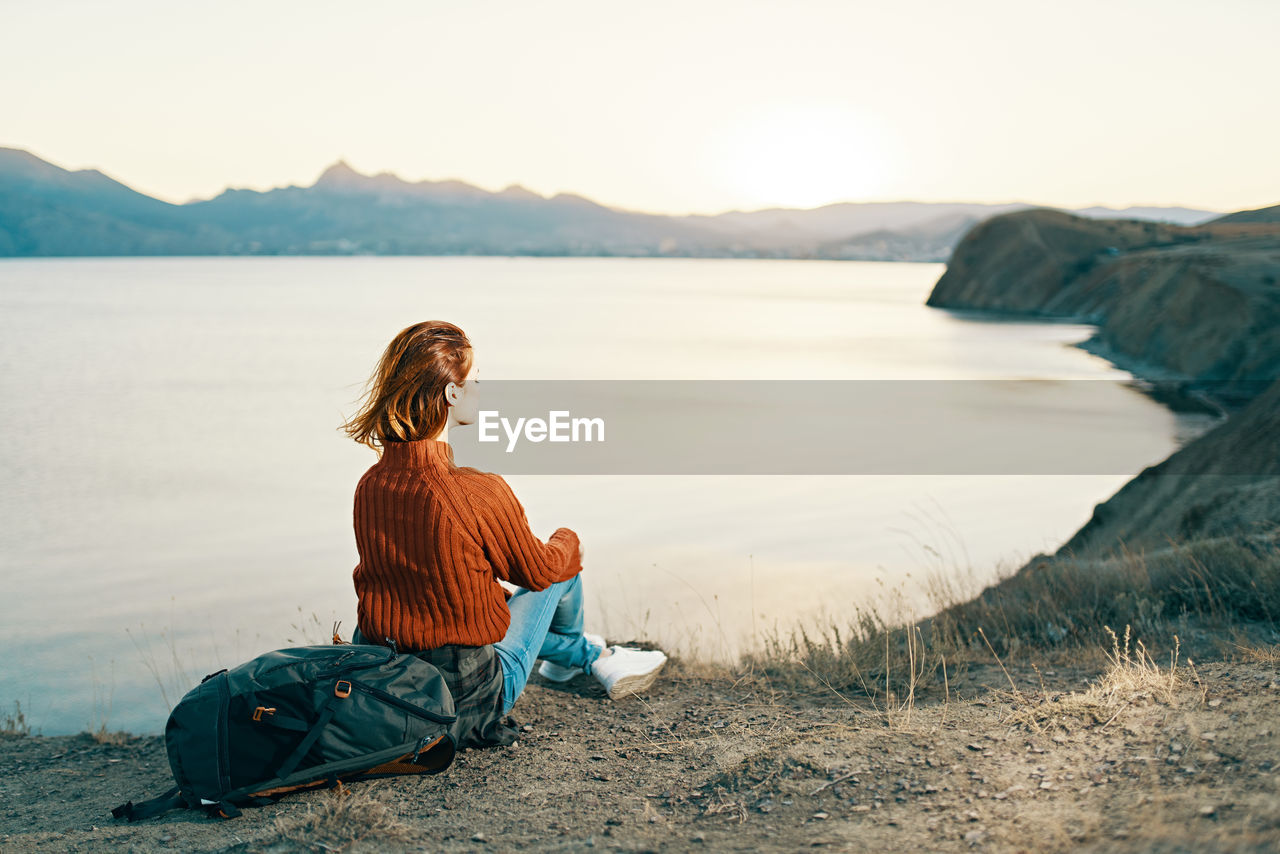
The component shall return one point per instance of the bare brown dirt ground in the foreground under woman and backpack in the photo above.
(707, 764)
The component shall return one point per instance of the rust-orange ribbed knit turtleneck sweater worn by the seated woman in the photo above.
(433, 540)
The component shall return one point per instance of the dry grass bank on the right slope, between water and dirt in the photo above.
(885, 660)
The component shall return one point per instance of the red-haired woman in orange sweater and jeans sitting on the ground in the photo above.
(436, 538)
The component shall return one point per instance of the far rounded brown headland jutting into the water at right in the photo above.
(1199, 305)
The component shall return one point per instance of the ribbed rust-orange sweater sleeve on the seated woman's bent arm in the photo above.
(514, 551)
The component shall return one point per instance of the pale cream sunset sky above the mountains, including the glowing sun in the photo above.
(679, 108)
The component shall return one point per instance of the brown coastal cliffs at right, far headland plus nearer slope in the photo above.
(1194, 307)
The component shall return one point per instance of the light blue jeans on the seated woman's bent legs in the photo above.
(545, 624)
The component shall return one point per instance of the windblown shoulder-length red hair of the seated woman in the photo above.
(405, 396)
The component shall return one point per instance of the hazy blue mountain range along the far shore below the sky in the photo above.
(47, 211)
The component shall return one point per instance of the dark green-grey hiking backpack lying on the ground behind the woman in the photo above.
(300, 719)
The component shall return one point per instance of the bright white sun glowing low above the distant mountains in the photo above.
(802, 156)
